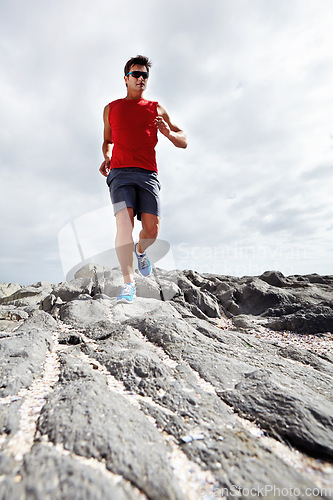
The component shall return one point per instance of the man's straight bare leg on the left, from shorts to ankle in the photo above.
(124, 242)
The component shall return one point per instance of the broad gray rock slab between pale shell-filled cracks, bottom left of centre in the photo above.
(118, 433)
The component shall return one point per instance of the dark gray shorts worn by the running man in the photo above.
(134, 187)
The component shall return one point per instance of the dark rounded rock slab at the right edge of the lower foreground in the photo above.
(298, 415)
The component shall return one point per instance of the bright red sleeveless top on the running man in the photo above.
(134, 133)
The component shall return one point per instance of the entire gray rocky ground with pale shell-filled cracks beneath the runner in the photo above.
(205, 387)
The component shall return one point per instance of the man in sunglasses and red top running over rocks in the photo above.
(130, 137)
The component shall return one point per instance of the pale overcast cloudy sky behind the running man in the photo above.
(250, 81)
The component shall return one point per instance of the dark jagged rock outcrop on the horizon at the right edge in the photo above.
(302, 304)
